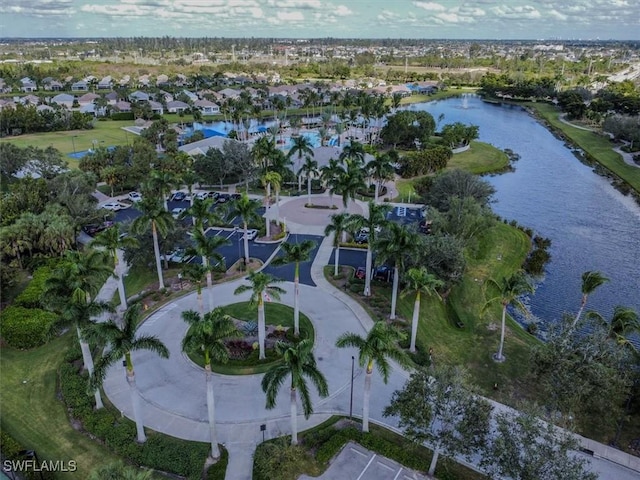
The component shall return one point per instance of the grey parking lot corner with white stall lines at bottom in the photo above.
(355, 462)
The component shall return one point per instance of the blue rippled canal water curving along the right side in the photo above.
(591, 225)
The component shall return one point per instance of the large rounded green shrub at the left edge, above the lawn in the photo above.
(26, 327)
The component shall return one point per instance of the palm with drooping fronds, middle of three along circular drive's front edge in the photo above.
(300, 364)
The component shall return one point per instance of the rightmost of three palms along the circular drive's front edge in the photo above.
(377, 348)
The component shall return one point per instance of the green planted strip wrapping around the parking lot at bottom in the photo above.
(325, 441)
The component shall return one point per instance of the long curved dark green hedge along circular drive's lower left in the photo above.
(160, 452)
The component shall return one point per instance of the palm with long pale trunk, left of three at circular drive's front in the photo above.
(207, 334)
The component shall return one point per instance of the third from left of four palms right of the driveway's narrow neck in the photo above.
(395, 245)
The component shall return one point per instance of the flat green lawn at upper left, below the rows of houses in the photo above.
(109, 131)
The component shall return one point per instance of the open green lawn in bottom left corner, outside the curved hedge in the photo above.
(32, 413)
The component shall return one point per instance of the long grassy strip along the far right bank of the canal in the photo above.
(597, 146)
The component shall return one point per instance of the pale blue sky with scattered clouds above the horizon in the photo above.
(491, 19)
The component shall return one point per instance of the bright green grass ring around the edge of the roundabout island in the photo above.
(275, 314)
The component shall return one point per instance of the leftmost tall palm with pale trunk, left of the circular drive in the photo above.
(71, 291)
